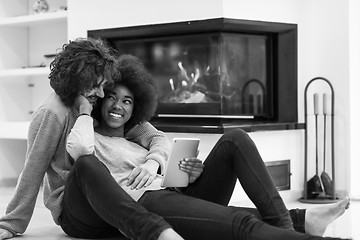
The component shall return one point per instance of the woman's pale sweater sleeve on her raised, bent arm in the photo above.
(80, 140)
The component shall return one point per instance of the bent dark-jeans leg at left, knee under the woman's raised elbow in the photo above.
(94, 206)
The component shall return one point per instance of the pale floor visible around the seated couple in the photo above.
(43, 227)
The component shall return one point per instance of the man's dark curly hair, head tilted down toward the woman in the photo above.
(79, 64)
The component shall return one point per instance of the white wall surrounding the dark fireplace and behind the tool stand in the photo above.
(323, 46)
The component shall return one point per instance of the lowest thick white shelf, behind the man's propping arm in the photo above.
(14, 130)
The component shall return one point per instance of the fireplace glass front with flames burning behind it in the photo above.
(207, 75)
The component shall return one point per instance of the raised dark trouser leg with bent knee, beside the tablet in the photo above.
(235, 156)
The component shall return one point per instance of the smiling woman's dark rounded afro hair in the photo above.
(139, 81)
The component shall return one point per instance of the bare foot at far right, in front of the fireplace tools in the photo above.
(318, 218)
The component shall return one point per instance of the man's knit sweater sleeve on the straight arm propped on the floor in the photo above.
(43, 138)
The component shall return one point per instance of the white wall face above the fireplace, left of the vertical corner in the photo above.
(124, 13)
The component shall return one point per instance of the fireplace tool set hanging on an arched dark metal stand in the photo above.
(319, 188)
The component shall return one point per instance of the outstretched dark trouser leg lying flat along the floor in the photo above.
(196, 219)
